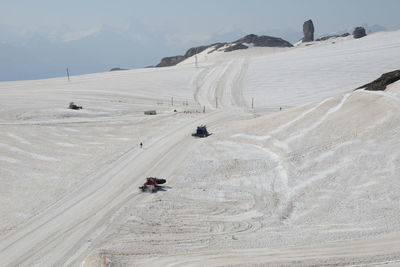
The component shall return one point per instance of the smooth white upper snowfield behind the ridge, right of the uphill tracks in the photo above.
(284, 77)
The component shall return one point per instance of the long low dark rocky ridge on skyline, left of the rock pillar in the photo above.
(247, 41)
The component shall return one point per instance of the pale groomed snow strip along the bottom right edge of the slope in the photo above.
(356, 253)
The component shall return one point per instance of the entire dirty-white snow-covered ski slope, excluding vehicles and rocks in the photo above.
(316, 183)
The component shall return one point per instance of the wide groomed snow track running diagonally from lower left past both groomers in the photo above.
(55, 236)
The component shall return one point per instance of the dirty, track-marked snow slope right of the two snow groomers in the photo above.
(316, 174)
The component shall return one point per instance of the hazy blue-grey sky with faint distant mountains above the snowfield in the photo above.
(96, 35)
